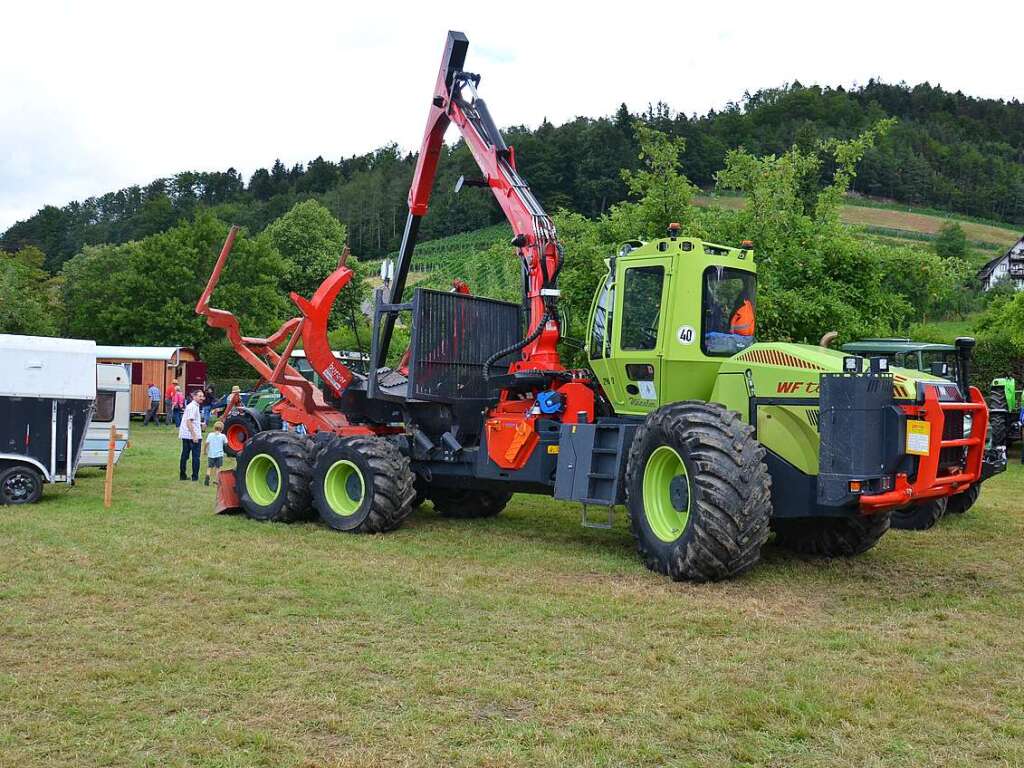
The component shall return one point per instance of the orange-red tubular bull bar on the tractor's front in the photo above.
(932, 482)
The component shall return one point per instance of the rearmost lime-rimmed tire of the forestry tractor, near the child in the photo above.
(273, 478)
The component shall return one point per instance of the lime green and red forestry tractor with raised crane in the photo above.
(710, 440)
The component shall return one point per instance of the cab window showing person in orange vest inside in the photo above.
(729, 311)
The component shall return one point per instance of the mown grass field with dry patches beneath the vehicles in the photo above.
(158, 634)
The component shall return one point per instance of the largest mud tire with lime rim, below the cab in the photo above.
(698, 493)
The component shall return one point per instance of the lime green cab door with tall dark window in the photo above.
(642, 307)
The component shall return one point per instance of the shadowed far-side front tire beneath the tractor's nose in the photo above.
(831, 537)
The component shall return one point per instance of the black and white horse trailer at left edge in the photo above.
(48, 396)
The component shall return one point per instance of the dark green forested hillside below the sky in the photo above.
(948, 151)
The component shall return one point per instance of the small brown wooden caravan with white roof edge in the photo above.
(160, 366)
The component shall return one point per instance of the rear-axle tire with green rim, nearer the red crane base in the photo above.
(362, 485)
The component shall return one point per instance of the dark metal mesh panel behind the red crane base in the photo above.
(453, 336)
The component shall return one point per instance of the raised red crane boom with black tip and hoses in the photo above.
(456, 101)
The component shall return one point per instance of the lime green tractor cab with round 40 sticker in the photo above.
(667, 315)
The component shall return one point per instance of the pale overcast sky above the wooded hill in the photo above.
(100, 96)
